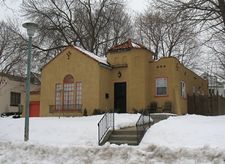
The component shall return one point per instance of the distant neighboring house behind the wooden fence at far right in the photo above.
(216, 86)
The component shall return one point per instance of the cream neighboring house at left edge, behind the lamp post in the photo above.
(12, 91)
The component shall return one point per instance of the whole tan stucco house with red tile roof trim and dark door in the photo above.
(128, 79)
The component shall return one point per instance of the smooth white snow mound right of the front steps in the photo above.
(191, 131)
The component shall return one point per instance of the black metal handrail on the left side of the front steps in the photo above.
(104, 125)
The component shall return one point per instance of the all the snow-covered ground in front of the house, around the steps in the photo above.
(182, 139)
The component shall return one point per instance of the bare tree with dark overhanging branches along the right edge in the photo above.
(209, 15)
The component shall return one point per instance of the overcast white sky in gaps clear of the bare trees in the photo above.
(11, 9)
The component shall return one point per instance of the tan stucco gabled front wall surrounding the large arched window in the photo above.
(82, 68)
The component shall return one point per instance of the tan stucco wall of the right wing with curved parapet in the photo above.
(175, 72)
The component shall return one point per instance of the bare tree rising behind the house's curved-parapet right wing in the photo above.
(167, 35)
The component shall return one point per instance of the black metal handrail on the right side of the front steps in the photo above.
(143, 121)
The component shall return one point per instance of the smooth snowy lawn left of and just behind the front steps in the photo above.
(64, 131)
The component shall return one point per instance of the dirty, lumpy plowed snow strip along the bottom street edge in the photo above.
(36, 154)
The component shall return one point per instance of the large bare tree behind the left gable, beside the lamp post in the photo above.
(91, 24)
